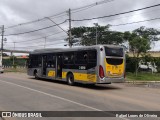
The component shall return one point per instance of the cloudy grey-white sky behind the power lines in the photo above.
(17, 16)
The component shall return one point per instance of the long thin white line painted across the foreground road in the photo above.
(54, 96)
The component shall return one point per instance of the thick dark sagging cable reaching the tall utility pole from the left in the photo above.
(35, 30)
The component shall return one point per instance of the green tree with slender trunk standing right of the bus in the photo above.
(140, 41)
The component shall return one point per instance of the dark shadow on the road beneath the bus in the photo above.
(87, 86)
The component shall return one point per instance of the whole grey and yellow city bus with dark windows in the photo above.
(91, 64)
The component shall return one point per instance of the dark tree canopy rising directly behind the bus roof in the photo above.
(87, 35)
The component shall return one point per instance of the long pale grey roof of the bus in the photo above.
(48, 50)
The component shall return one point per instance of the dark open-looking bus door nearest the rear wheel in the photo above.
(59, 66)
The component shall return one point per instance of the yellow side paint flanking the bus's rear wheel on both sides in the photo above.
(81, 77)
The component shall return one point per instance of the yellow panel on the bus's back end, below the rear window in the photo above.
(114, 70)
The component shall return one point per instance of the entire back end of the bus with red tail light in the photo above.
(111, 64)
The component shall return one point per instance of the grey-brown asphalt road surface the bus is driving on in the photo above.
(19, 92)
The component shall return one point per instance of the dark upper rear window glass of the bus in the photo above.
(116, 52)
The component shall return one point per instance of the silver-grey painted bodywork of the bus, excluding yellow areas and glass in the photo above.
(100, 61)
